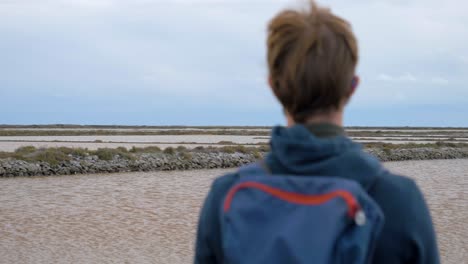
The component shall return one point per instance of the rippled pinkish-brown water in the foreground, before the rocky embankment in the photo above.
(151, 217)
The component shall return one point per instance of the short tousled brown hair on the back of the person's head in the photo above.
(312, 56)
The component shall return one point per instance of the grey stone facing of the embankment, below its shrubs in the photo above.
(10, 167)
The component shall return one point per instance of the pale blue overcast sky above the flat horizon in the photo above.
(202, 62)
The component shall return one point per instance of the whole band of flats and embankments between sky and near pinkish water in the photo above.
(75, 149)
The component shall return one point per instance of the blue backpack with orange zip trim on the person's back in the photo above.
(295, 219)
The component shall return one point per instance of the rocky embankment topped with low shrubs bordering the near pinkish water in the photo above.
(31, 161)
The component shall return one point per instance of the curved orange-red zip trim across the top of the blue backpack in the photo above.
(297, 198)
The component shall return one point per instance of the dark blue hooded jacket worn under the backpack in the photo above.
(408, 234)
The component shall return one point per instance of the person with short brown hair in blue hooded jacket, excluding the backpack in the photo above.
(312, 57)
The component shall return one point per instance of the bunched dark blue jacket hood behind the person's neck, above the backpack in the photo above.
(295, 150)
